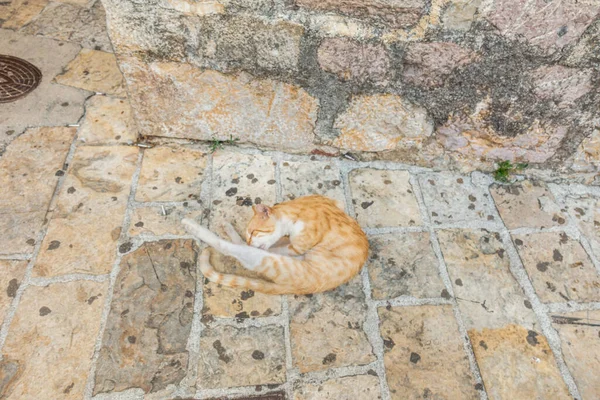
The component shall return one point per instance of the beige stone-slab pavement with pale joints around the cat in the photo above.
(472, 290)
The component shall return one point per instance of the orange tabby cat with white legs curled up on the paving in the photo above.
(302, 246)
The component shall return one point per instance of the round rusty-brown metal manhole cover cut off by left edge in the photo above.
(17, 78)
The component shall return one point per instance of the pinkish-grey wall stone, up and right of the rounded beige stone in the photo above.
(428, 64)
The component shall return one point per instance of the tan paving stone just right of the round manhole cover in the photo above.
(96, 71)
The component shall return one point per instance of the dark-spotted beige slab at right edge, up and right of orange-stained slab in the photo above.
(559, 268)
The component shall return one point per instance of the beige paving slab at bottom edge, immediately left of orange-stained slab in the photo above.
(423, 353)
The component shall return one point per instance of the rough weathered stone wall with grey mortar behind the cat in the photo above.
(449, 84)
